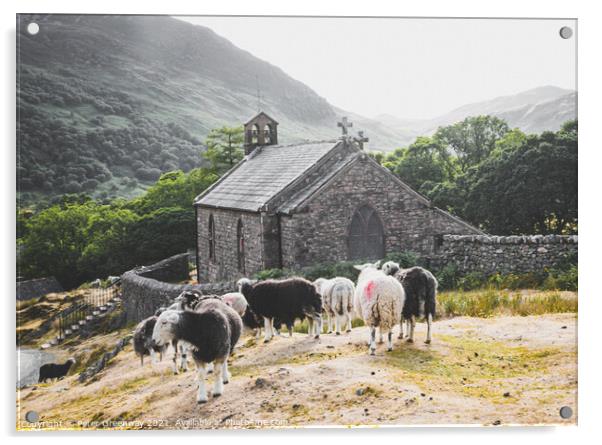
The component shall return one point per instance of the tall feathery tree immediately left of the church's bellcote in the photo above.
(224, 148)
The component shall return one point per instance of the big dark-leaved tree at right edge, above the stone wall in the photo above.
(528, 185)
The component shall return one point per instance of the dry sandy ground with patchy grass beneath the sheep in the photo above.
(502, 370)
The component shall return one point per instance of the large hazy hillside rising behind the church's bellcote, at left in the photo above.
(107, 103)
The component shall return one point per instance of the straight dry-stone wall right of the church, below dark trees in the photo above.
(503, 254)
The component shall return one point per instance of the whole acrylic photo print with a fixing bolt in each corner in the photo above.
(164, 158)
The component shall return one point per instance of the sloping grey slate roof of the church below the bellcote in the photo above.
(263, 174)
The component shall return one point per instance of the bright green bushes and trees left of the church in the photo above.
(78, 239)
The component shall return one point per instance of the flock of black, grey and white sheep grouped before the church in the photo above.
(208, 327)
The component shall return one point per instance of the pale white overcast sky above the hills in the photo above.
(409, 68)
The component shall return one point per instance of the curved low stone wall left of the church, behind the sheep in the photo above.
(143, 292)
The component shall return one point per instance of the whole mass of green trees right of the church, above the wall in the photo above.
(466, 167)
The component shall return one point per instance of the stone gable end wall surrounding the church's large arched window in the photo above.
(320, 232)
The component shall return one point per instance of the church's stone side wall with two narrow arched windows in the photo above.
(225, 265)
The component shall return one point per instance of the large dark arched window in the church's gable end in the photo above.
(366, 235)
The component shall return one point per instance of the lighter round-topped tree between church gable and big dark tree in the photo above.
(473, 139)
